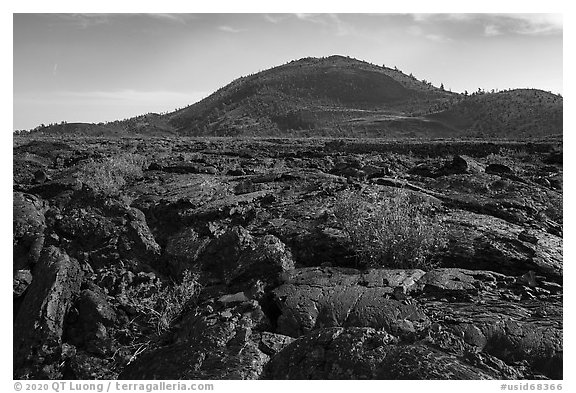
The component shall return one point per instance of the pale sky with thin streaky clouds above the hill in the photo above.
(104, 67)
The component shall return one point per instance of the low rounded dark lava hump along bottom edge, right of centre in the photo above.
(367, 353)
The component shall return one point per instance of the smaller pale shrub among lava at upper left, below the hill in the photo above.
(108, 176)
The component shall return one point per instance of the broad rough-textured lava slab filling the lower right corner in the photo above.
(507, 318)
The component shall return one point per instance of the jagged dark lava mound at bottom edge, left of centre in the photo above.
(222, 345)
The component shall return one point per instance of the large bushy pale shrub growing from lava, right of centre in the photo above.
(398, 231)
